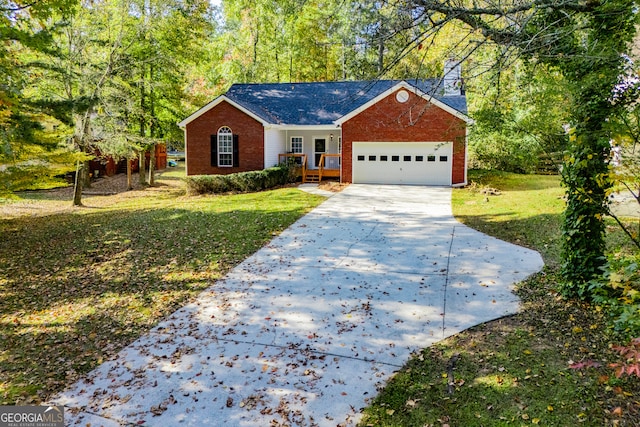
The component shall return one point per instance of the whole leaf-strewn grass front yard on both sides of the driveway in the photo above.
(78, 284)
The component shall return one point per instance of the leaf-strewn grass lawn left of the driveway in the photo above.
(78, 285)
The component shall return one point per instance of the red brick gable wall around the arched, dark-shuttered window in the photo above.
(250, 140)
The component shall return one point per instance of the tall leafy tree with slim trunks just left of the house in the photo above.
(143, 100)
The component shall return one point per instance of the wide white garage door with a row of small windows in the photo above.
(421, 163)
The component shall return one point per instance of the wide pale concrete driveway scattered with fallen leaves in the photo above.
(307, 330)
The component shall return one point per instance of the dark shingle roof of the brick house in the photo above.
(324, 102)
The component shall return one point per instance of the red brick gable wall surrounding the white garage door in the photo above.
(414, 120)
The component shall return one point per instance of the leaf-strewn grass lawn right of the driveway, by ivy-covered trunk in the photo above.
(516, 370)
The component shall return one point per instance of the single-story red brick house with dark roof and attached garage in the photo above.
(383, 132)
